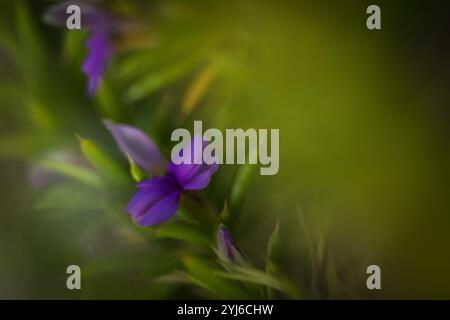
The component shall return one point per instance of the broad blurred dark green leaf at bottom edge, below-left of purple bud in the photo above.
(205, 274)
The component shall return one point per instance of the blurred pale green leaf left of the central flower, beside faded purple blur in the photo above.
(74, 171)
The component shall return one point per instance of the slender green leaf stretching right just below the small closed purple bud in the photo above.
(251, 275)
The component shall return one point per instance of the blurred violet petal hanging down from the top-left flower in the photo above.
(100, 51)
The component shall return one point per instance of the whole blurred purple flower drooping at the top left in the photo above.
(99, 43)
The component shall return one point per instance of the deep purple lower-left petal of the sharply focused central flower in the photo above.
(156, 200)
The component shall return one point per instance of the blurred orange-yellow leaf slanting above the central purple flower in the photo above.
(198, 88)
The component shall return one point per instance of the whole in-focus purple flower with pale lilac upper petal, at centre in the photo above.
(157, 199)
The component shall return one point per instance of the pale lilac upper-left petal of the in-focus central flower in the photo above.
(138, 146)
